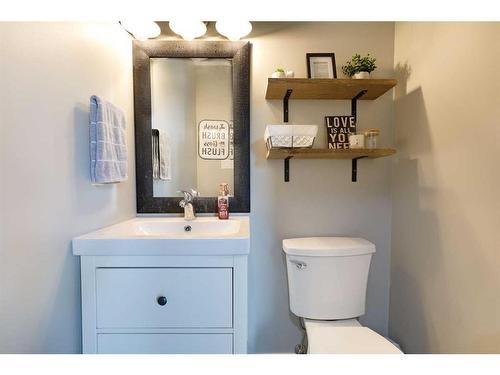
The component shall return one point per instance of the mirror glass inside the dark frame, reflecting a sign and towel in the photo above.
(192, 119)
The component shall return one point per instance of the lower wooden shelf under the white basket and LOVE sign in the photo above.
(325, 153)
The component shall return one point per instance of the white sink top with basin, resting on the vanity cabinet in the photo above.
(168, 236)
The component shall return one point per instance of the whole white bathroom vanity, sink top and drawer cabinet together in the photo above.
(165, 285)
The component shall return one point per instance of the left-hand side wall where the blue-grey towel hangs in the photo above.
(47, 74)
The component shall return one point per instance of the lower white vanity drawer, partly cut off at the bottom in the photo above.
(168, 343)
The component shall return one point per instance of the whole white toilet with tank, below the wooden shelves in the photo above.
(327, 279)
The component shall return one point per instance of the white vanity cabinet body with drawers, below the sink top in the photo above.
(164, 304)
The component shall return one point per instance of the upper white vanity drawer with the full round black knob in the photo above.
(194, 297)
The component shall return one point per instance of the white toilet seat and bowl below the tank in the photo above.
(345, 337)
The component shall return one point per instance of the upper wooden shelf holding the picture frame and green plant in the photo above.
(340, 89)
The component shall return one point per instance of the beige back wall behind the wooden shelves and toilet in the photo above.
(320, 199)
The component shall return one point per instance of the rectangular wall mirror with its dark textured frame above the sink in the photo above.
(192, 123)
